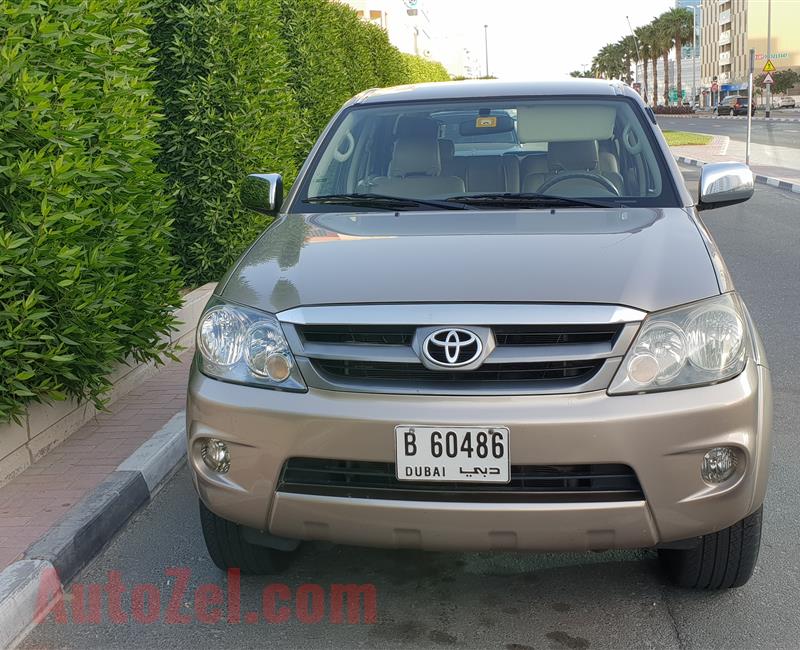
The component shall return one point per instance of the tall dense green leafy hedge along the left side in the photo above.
(126, 127)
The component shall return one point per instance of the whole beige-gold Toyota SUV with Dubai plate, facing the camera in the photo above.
(487, 317)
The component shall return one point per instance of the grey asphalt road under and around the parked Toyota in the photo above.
(507, 601)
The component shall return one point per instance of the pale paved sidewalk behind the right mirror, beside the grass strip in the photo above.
(782, 163)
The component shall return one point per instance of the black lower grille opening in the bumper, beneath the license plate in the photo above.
(528, 484)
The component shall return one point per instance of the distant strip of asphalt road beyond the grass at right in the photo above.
(781, 134)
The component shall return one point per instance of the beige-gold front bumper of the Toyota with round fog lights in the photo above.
(662, 436)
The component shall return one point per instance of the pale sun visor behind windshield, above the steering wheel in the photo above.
(565, 122)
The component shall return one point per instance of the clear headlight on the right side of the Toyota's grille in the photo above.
(702, 343)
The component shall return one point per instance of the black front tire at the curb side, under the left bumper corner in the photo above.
(229, 549)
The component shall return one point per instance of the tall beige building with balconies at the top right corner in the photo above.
(730, 28)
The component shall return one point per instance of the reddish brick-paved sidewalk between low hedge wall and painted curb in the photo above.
(36, 499)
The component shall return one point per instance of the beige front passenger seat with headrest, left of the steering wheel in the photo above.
(414, 171)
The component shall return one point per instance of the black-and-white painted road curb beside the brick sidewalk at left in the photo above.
(30, 587)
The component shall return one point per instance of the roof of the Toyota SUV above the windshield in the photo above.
(480, 89)
